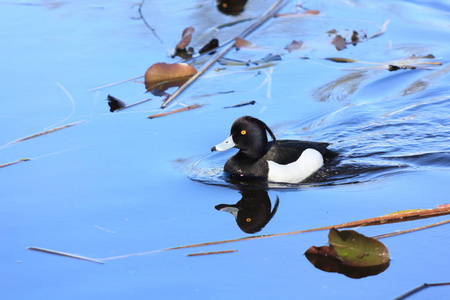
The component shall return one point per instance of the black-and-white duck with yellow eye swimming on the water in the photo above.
(281, 161)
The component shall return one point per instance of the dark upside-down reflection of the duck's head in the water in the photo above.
(253, 211)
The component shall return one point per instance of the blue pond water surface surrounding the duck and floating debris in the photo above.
(120, 187)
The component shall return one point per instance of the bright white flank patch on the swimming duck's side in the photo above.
(307, 164)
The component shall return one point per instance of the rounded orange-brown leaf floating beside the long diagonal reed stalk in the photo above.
(163, 76)
